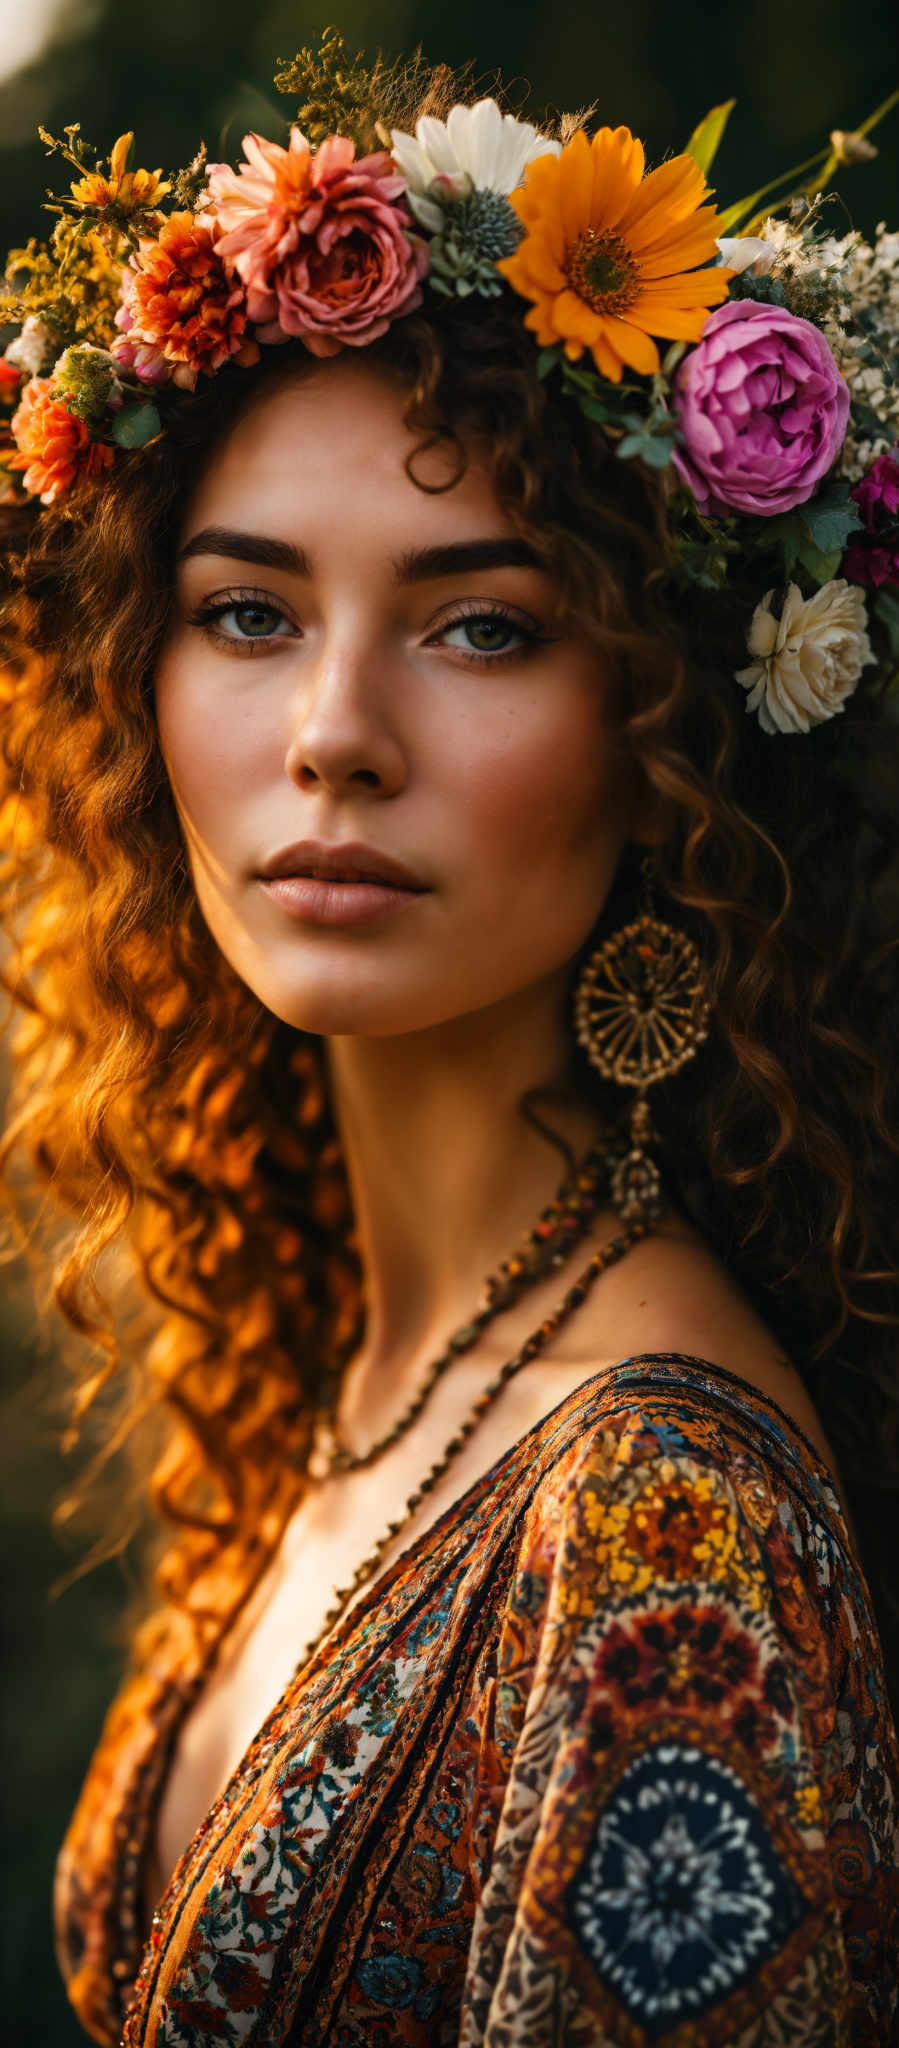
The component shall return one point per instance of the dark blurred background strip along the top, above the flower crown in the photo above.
(187, 71)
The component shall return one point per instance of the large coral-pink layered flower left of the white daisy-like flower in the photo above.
(318, 241)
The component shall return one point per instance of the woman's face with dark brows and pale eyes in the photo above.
(396, 677)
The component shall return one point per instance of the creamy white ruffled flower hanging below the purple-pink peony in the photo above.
(808, 663)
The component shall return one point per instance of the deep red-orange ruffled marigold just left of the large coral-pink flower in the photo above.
(179, 306)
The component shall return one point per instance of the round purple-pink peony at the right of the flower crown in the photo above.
(763, 409)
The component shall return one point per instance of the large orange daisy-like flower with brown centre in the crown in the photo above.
(609, 255)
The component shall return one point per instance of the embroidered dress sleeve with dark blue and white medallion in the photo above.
(697, 1838)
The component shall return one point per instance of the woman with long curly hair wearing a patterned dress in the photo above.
(591, 1738)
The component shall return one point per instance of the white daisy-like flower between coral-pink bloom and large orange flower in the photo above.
(488, 146)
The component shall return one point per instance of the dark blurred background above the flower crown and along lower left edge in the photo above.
(189, 71)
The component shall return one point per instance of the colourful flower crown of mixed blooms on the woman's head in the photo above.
(775, 411)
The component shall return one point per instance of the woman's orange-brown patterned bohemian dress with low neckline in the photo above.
(605, 1758)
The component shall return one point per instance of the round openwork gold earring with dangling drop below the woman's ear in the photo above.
(642, 1011)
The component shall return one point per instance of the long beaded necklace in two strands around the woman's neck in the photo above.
(550, 1244)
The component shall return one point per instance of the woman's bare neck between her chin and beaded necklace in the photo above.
(445, 1175)
